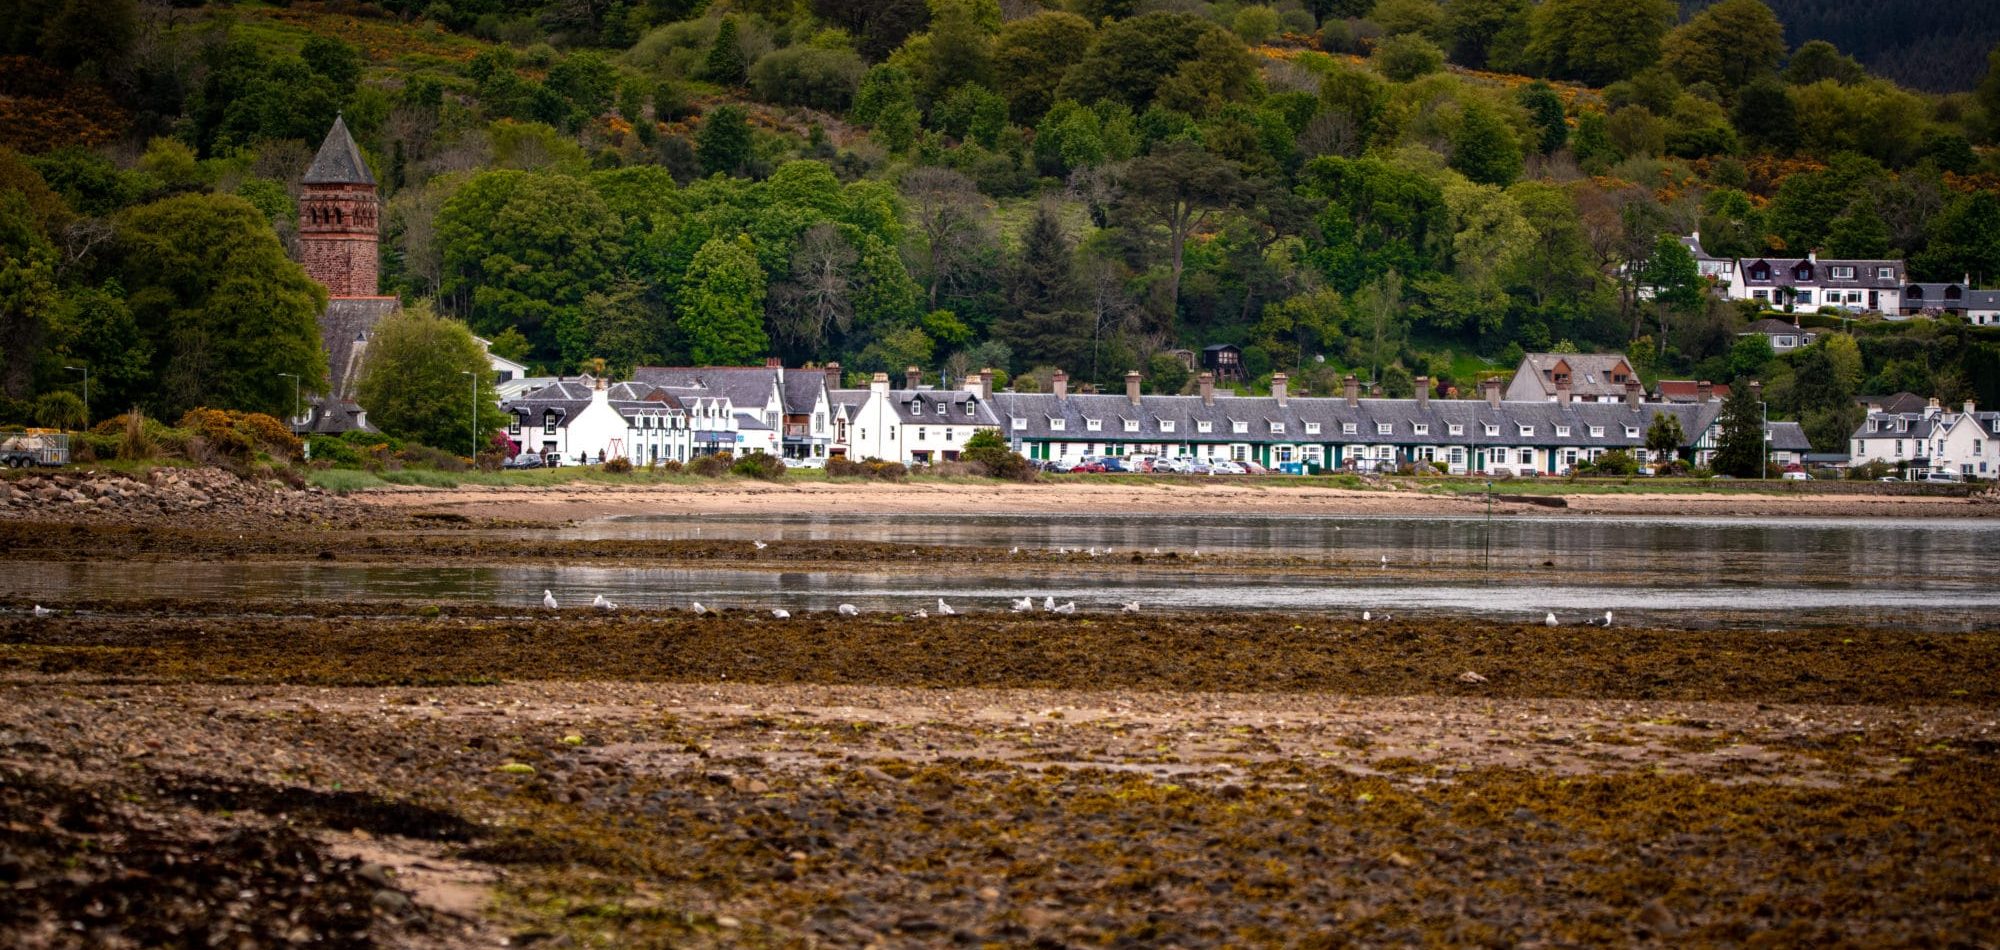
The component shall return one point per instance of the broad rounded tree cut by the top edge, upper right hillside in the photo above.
(1599, 41)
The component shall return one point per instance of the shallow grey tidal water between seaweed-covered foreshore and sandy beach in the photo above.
(1939, 575)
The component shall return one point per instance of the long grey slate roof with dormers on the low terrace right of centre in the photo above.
(1401, 417)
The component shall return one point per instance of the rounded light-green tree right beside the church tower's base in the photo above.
(415, 383)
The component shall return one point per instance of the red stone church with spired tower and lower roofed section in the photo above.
(337, 239)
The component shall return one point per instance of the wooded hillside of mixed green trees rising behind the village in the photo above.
(1375, 187)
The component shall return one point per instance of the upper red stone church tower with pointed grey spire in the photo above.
(337, 219)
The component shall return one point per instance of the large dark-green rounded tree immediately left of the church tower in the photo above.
(221, 305)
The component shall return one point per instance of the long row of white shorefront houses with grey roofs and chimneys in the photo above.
(1581, 409)
